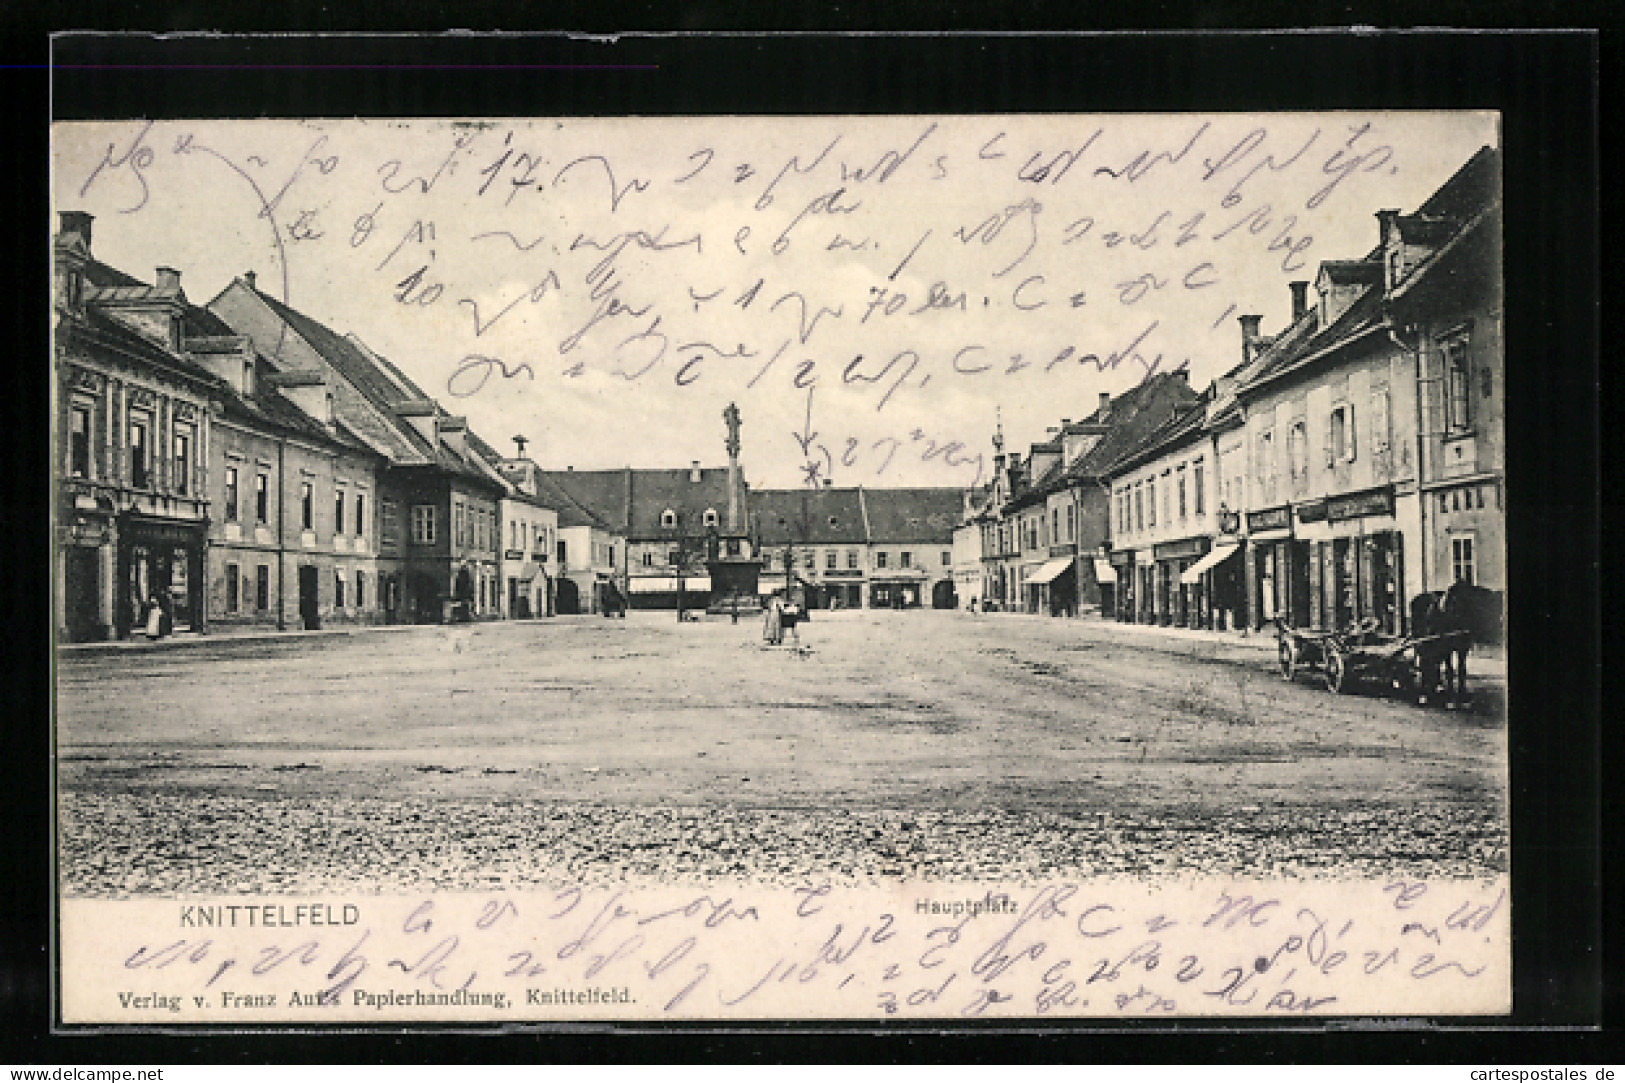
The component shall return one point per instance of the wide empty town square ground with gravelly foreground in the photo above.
(904, 744)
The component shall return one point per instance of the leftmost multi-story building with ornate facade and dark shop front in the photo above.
(132, 438)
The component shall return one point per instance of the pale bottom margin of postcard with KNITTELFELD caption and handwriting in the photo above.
(1119, 949)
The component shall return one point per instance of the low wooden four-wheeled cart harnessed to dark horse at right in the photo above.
(1406, 664)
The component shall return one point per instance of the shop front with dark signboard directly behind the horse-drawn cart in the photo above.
(1354, 554)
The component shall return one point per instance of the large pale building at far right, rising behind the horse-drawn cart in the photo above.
(1374, 396)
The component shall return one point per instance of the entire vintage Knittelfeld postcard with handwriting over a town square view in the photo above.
(781, 568)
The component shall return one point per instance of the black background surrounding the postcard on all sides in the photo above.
(1543, 84)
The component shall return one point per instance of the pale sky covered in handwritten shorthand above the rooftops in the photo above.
(877, 295)
